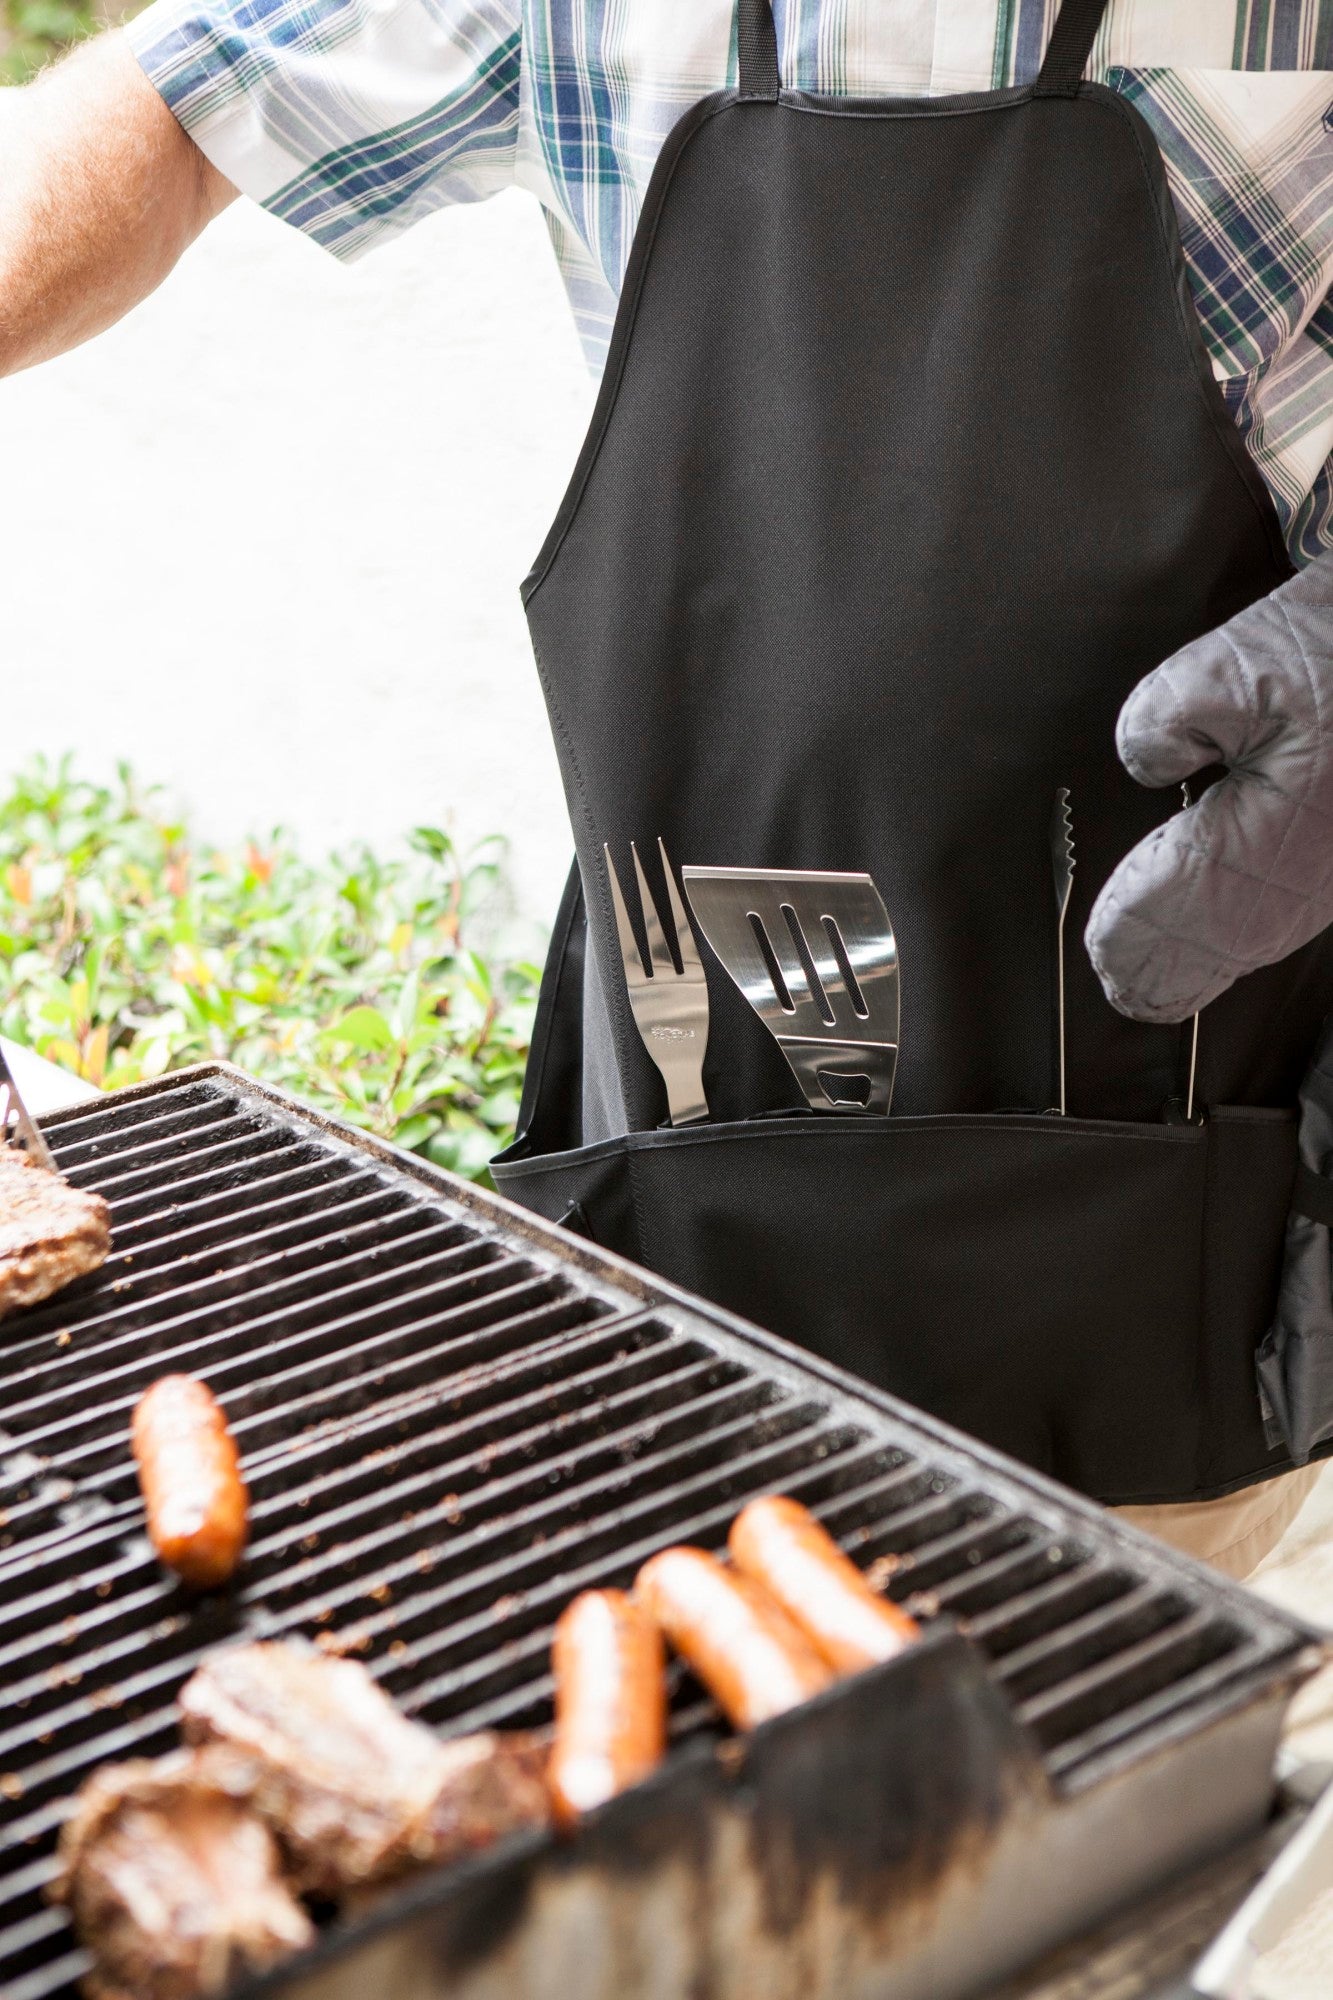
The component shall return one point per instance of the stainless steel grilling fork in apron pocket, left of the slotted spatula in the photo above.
(670, 1003)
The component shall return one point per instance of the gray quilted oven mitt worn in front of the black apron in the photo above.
(1246, 875)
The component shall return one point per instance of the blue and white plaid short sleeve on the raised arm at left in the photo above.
(349, 119)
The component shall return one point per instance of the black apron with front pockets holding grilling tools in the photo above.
(908, 467)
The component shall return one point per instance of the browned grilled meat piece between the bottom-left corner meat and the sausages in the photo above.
(355, 1791)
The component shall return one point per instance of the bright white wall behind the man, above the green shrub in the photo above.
(267, 535)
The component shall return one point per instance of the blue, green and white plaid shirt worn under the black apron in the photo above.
(351, 119)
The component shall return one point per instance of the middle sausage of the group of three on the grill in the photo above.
(742, 1645)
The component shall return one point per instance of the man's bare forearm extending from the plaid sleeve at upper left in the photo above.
(101, 191)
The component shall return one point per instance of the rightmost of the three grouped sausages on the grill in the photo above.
(784, 1549)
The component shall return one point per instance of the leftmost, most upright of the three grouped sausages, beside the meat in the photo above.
(611, 1701)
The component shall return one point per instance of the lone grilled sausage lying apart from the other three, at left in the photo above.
(189, 1473)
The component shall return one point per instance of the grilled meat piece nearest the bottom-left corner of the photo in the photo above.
(173, 1881)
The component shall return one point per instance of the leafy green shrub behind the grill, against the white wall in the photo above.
(127, 951)
